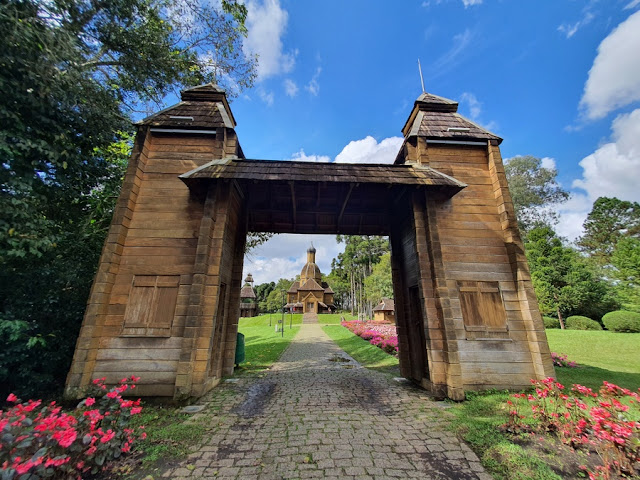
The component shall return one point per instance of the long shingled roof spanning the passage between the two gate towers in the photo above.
(282, 171)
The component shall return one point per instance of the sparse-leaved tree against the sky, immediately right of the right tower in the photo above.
(534, 191)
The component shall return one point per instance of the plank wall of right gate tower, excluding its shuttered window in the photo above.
(474, 231)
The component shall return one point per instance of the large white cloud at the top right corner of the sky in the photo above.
(614, 78)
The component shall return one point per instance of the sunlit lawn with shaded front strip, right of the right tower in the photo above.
(601, 355)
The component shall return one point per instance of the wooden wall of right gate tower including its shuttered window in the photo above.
(492, 306)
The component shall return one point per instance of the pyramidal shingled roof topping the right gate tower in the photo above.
(437, 118)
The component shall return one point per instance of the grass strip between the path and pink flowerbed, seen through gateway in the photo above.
(362, 351)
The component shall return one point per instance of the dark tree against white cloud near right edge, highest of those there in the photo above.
(609, 221)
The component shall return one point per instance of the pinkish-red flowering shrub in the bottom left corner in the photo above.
(42, 441)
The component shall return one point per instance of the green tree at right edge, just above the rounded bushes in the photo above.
(626, 262)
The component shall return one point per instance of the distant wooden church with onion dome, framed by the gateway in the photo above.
(310, 294)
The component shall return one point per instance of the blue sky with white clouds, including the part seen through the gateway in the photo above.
(559, 80)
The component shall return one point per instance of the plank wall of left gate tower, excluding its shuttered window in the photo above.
(157, 234)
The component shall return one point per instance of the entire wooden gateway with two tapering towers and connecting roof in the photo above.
(165, 302)
